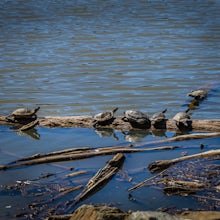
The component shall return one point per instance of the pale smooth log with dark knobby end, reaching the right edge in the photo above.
(161, 165)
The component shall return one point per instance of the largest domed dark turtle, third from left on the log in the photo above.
(136, 118)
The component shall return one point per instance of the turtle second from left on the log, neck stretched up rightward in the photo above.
(103, 118)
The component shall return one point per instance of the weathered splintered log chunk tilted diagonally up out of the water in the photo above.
(101, 177)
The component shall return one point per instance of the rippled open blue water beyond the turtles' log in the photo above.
(81, 57)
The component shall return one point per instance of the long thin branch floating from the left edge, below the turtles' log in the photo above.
(72, 154)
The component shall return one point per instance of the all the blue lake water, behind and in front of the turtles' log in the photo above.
(83, 57)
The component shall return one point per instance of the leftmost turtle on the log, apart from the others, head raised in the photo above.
(23, 114)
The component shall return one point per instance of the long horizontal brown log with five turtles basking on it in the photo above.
(117, 123)
